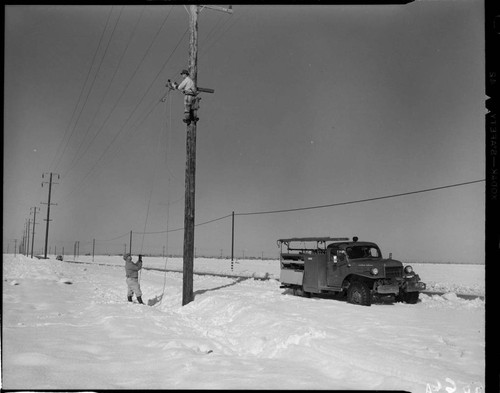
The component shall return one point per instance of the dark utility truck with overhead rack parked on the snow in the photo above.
(342, 266)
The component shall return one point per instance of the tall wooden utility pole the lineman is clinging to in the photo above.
(188, 253)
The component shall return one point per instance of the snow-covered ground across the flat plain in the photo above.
(69, 326)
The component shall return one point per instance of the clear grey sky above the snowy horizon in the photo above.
(313, 105)
